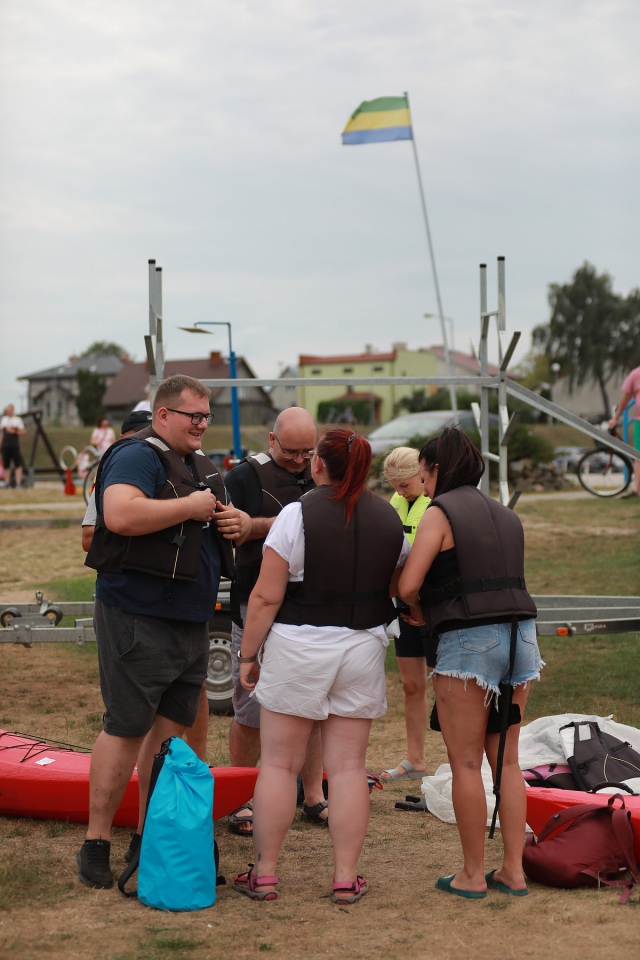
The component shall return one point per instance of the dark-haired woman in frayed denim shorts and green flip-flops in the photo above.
(465, 579)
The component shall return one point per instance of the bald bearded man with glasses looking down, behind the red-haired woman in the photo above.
(259, 488)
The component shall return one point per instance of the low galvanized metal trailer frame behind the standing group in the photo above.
(562, 616)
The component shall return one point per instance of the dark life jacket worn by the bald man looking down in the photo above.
(279, 487)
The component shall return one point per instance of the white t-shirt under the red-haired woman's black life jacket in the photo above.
(286, 537)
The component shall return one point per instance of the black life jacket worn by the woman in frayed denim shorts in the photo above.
(489, 543)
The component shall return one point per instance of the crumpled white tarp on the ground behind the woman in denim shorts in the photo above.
(540, 742)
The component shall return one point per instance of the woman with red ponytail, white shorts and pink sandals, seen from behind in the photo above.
(318, 616)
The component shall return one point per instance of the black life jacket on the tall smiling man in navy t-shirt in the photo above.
(175, 551)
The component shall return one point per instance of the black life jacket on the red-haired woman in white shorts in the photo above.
(347, 571)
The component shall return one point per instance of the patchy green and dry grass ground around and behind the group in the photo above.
(573, 547)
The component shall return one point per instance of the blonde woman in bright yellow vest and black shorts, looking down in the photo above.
(401, 469)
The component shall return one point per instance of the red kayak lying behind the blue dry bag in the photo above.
(50, 781)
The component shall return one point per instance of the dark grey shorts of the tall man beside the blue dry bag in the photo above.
(148, 666)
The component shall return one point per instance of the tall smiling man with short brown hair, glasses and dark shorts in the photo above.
(159, 558)
